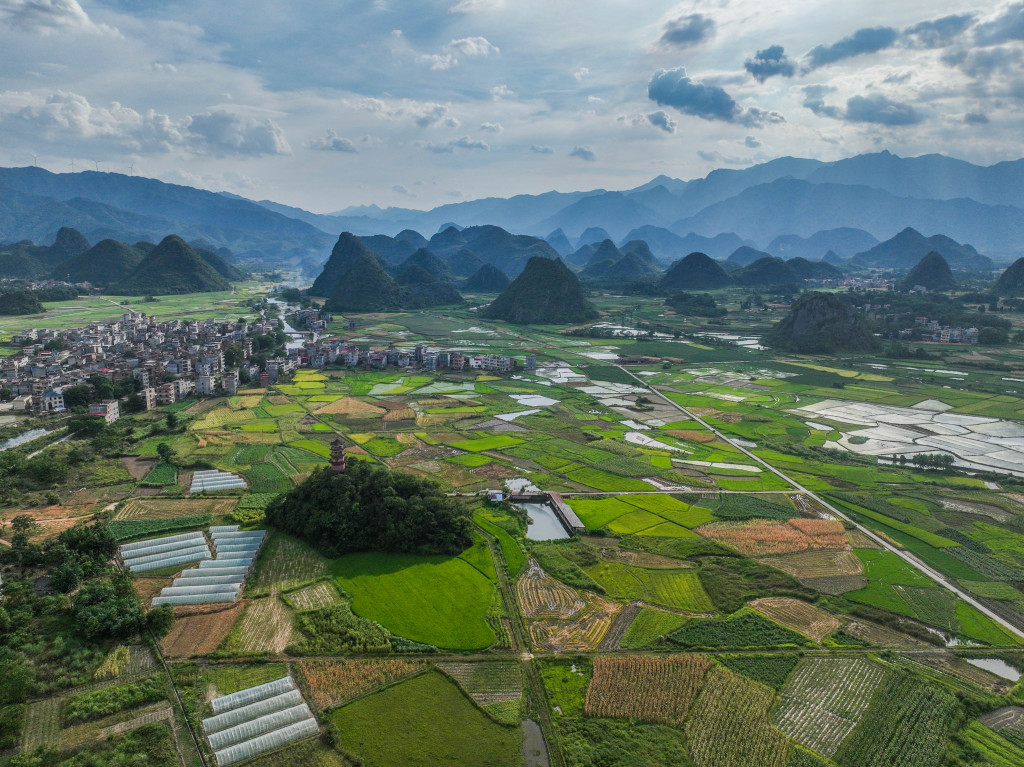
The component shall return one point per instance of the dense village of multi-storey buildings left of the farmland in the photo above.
(174, 359)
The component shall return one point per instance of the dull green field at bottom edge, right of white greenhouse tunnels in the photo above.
(426, 721)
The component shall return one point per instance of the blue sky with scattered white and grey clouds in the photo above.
(329, 104)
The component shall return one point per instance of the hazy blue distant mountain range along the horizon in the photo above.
(787, 208)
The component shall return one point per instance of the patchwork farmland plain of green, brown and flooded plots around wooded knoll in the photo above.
(757, 629)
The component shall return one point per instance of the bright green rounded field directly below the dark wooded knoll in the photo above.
(437, 601)
